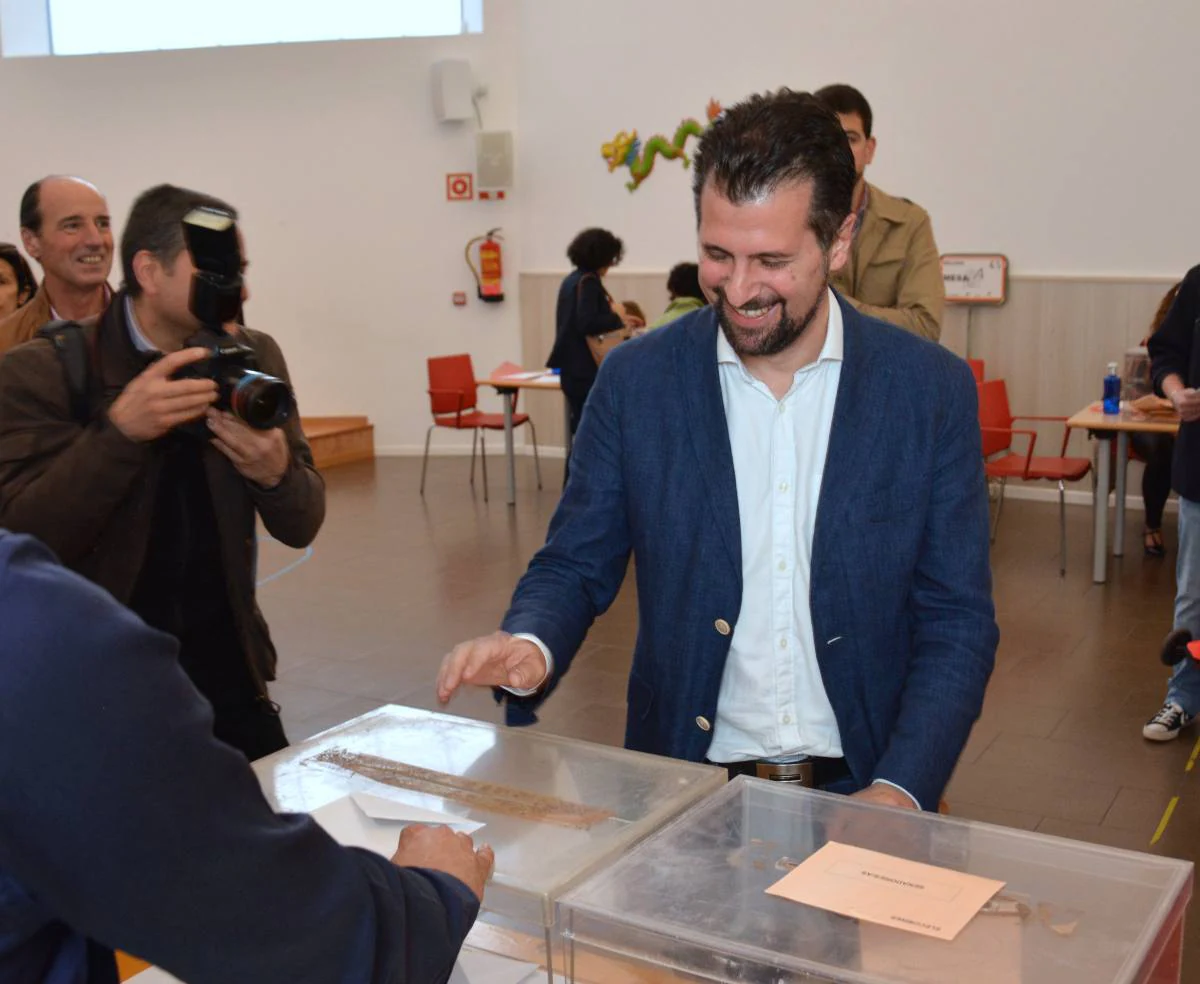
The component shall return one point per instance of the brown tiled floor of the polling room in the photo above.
(395, 581)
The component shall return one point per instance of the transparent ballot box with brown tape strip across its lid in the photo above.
(554, 809)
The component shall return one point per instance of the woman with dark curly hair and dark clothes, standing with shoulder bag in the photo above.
(589, 323)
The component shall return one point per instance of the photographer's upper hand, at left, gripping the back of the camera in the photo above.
(154, 404)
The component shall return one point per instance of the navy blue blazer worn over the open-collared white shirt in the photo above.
(903, 619)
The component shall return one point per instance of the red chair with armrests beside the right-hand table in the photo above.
(1004, 464)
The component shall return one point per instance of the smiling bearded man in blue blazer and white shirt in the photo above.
(802, 489)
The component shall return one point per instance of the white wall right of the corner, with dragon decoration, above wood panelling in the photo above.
(1063, 134)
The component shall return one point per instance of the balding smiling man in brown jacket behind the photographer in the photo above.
(64, 226)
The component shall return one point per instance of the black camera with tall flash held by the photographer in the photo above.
(259, 400)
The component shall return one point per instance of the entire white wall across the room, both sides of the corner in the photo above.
(1061, 134)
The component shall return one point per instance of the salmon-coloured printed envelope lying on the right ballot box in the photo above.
(892, 892)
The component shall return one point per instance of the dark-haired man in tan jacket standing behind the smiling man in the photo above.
(895, 272)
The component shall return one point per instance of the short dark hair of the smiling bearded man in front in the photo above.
(773, 140)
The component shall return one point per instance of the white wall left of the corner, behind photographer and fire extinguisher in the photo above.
(333, 155)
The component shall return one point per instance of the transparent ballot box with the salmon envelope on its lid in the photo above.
(691, 904)
